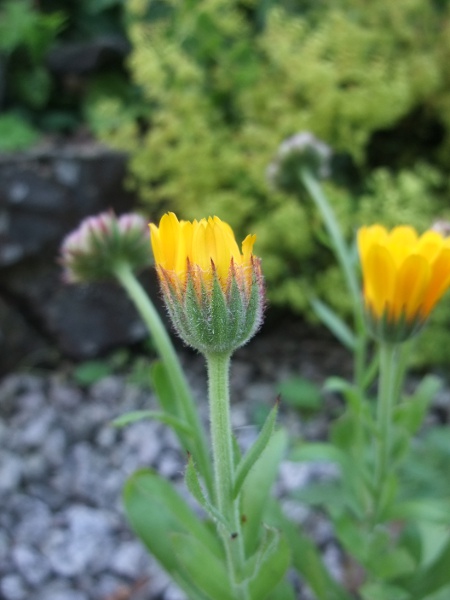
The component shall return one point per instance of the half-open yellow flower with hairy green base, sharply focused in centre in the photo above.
(214, 292)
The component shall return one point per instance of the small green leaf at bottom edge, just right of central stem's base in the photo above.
(272, 565)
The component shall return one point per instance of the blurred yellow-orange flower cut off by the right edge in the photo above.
(405, 275)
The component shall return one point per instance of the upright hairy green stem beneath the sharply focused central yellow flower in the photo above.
(222, 446)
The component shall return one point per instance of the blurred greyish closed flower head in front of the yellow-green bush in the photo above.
(301, 151)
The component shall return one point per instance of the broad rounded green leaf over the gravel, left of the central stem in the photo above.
(155, 511)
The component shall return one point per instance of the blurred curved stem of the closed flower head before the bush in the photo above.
(345, 262)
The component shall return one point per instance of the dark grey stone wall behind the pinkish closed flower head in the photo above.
(44, 194)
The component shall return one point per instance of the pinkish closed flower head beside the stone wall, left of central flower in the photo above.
(100, 243)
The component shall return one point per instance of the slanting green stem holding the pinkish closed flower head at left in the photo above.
(169, 357)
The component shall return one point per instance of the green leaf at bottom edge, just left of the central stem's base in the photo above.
(207, 571)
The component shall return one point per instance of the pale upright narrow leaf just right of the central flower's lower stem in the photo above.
(257, 486)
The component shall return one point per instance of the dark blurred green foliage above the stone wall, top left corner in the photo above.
(34, 99)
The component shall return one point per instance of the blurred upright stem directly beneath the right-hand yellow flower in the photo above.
(388, 385)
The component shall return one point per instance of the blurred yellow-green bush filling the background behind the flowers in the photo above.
(224, 81)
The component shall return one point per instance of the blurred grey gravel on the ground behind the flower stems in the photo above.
(63, 533)
